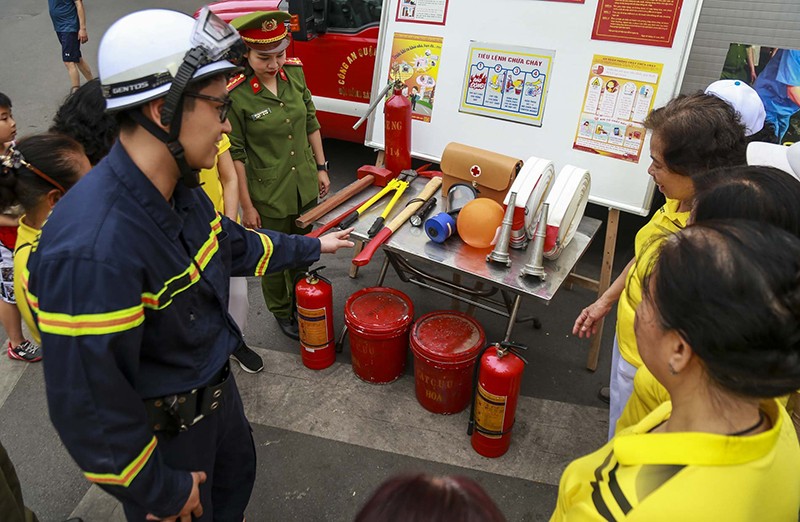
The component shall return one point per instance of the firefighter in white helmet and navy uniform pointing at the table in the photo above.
(129, 283)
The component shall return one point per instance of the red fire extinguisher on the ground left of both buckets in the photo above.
(314, 297)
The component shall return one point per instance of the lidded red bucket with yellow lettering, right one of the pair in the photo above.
(445, 346)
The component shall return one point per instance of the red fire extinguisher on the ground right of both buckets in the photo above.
(498, 376)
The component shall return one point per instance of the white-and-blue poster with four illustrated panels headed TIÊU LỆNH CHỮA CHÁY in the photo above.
(507, 82)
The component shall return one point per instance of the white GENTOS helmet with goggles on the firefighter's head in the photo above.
(141, 54)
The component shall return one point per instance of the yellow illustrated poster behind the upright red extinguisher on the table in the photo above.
(415, 62)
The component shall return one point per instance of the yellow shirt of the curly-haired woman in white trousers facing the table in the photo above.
(667, 220)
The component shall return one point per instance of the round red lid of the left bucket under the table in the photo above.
(379, 309)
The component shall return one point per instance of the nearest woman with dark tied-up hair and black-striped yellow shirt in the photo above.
(719, 327)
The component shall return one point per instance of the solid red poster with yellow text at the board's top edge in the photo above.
(646, 22)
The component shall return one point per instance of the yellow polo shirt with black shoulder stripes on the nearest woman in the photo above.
(690, 476)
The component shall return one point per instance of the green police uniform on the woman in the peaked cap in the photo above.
(270, 136)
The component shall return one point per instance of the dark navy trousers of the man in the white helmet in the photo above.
(222, 446)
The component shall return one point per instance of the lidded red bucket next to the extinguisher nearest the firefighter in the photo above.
(377, 321)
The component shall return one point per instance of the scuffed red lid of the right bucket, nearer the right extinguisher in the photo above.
(447, 337)
